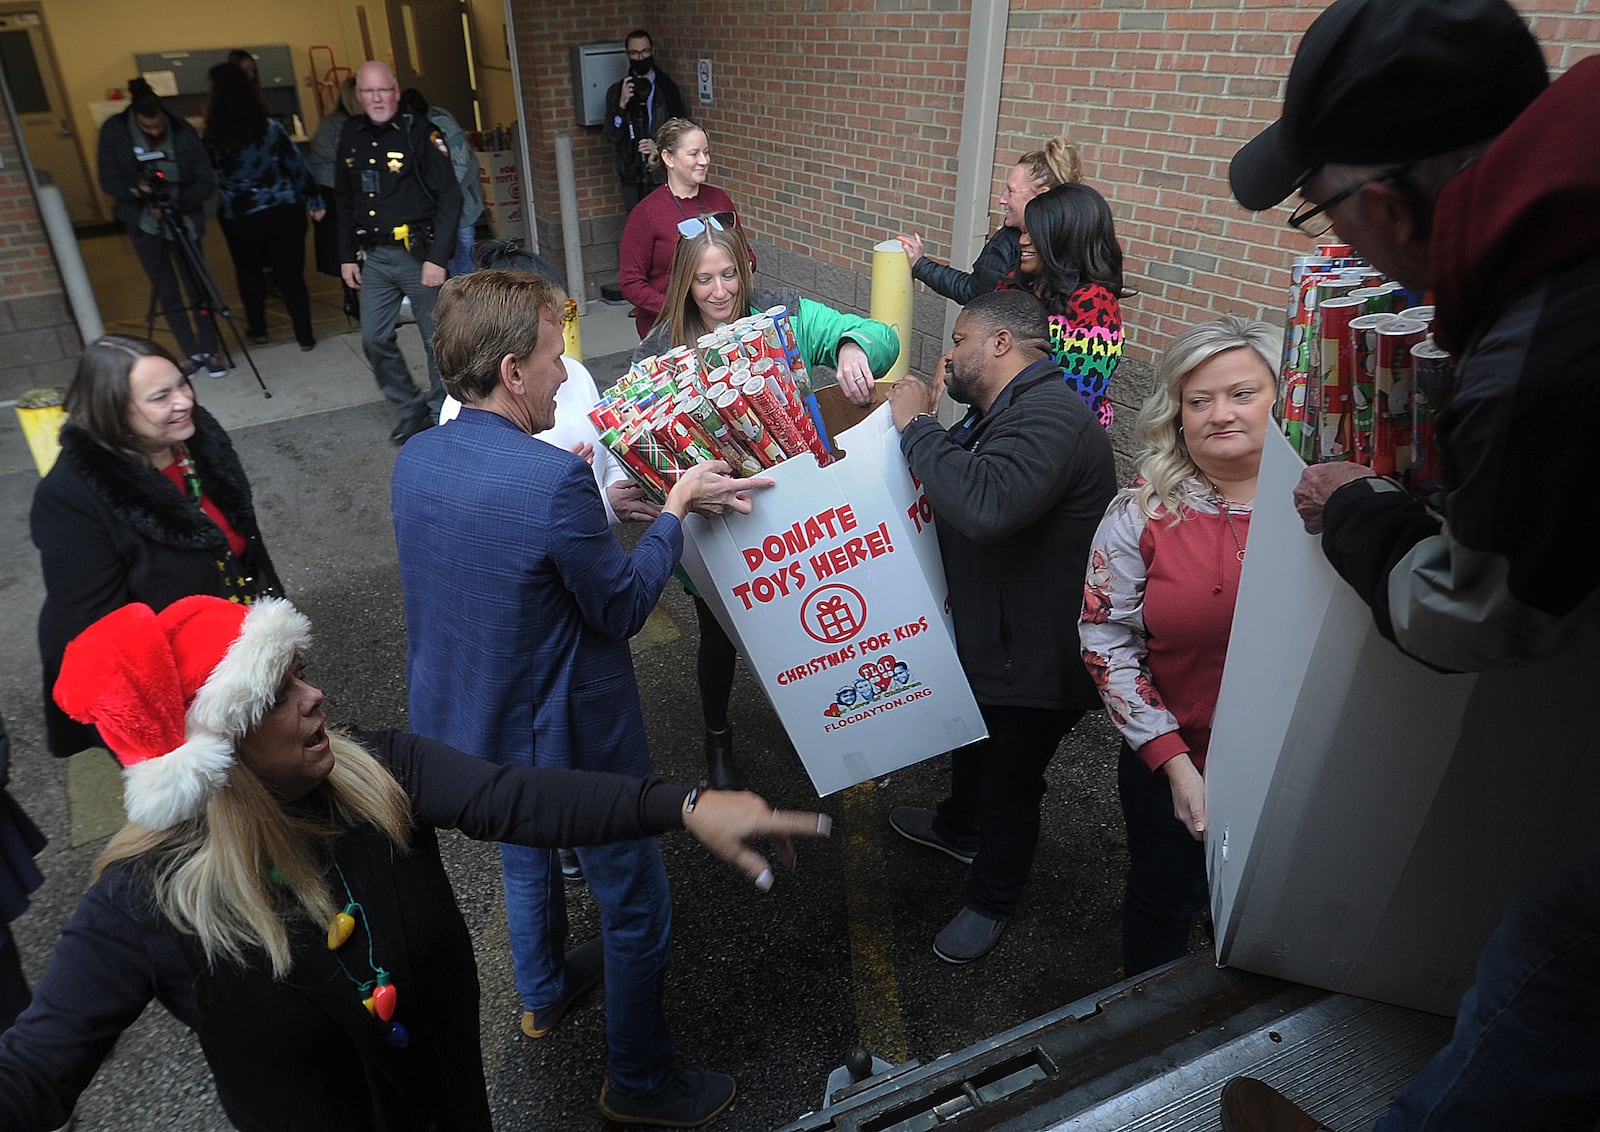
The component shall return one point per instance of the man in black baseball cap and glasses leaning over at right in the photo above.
(1428, 135)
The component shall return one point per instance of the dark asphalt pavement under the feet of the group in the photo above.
(774, 989)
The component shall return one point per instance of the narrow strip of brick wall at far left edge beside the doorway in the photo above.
(39, 340)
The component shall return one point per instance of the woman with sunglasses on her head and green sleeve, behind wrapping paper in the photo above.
(710, 287)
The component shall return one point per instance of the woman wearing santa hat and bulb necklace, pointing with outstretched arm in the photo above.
(279, 885)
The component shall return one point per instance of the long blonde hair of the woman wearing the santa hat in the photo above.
(236, 875)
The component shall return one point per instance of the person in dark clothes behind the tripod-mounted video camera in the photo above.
(154, 165)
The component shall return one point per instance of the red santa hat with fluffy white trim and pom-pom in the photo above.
(172, 693)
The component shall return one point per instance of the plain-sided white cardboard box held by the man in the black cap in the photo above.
(1372, 818)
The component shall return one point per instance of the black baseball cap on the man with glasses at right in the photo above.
(1391, 81)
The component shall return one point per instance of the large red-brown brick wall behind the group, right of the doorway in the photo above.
(838, 126)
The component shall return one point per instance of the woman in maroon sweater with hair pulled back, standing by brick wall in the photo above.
(652, 234)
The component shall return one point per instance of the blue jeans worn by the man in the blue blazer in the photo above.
(630, 883)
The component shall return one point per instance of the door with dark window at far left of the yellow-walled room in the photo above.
(41, 106)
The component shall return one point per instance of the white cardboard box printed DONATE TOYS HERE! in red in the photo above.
(834, 591)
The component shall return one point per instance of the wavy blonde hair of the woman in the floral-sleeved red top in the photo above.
(1164, 464)
